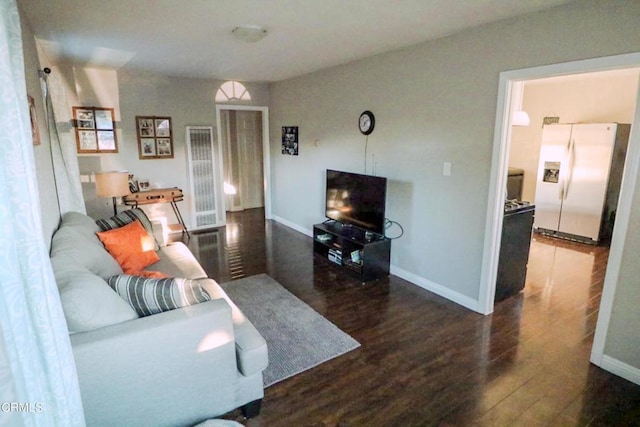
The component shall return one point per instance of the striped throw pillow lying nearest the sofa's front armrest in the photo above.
(150, 296)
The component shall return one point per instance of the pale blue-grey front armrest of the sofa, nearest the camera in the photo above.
(176, 367)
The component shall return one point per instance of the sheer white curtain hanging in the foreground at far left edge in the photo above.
(38, 382)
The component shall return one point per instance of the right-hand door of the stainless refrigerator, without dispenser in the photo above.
(586, 187)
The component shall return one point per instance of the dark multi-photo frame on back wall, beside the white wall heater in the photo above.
(155, 138)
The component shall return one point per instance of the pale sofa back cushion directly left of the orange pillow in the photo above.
(76, 242)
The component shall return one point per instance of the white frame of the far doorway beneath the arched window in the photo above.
(266, 153)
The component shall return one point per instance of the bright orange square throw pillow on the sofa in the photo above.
(131, 246)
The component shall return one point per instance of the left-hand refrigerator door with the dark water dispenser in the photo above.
(552, 173)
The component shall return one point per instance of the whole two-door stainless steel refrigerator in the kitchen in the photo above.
(579, 175)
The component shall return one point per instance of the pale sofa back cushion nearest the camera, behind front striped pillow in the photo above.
(87, 301)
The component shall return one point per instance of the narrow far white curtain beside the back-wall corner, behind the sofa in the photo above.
(63, 148)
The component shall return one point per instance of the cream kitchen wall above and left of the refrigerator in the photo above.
(588, 98)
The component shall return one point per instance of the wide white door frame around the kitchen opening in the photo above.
(498, 181)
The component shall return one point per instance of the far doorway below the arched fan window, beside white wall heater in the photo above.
(244, 135)
